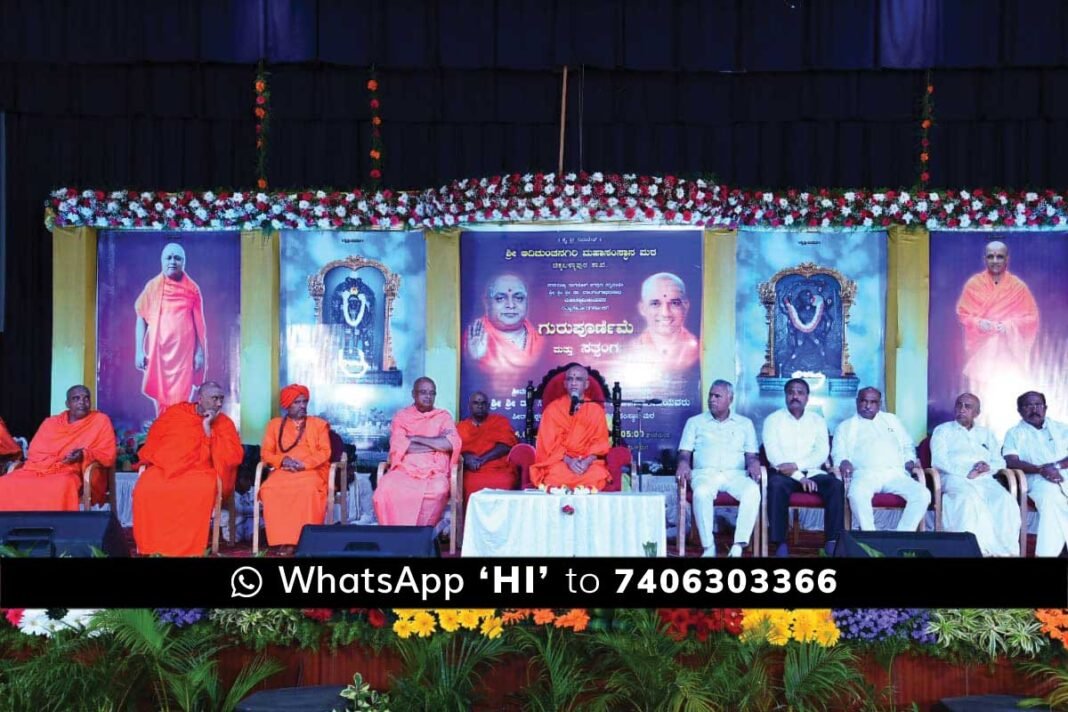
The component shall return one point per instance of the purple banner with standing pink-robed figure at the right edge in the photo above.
(999, 323)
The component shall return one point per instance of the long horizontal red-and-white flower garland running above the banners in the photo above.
(573, 198)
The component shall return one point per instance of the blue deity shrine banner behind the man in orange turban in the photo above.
(354, 323)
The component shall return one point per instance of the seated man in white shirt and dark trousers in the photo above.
(796, 445)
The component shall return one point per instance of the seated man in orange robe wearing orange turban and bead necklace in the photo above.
(297, 448)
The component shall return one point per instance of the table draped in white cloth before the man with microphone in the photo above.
(533, 524)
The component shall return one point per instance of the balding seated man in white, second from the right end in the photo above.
(968, 456)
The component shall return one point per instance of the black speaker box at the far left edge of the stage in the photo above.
(77, 534)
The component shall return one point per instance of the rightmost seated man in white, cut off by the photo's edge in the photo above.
(1035, 440)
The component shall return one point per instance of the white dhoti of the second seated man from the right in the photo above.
(985, 509)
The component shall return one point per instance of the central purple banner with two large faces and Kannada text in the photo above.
(624, 303)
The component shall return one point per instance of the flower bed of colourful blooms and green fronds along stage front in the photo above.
(530, 659)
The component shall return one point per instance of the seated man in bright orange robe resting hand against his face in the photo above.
(189, 448)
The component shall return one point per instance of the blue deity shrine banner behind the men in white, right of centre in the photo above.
(811, 306)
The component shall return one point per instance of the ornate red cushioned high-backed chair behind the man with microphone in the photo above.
(619, 458)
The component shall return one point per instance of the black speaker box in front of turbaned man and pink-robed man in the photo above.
(368, 542)
